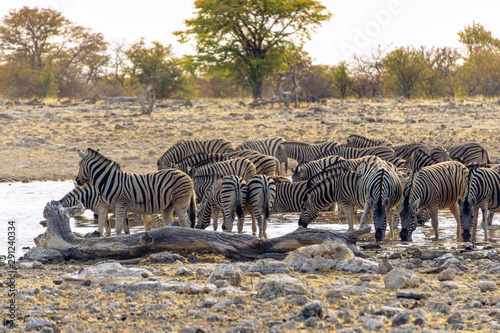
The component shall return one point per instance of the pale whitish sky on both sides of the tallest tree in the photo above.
(358, 26)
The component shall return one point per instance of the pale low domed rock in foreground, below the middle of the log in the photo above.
(280, 286)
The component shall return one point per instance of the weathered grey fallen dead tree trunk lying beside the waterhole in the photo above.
(234, 246)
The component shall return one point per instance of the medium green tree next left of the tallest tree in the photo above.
(156, 66)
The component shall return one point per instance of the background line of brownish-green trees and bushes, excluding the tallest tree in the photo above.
(43, 54)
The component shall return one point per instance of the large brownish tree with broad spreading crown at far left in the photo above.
(30, 37)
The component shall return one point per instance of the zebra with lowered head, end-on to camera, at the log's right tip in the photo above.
(379, 189)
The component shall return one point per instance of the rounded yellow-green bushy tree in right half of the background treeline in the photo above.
(404, 68)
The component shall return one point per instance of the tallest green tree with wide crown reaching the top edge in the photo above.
(251, 39)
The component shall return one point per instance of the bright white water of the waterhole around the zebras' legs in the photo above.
(24, 203)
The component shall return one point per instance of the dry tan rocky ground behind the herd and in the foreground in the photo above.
(321, 288)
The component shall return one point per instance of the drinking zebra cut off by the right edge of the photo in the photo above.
(482, 192)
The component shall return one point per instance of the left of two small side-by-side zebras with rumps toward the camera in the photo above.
(227, 194)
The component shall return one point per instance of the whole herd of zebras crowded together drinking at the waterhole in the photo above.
(198, 179)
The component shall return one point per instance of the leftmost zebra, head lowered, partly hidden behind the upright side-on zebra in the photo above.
(91, 199)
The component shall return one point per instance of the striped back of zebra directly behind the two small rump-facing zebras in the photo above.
(238, 167)
